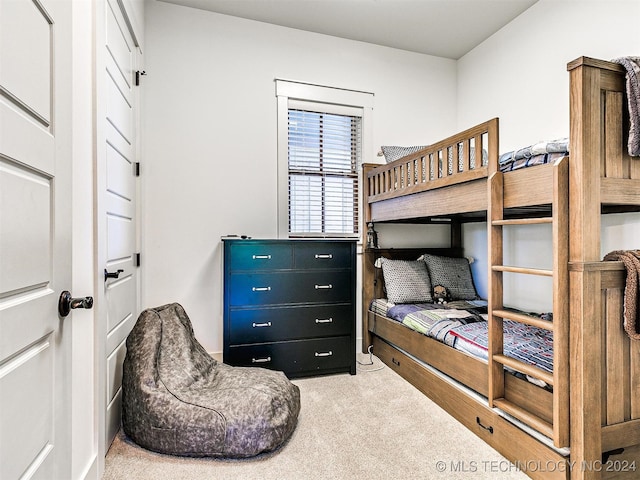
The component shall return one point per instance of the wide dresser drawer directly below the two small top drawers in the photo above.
(290, 287)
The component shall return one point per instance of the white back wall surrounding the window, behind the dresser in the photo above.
(209, 135)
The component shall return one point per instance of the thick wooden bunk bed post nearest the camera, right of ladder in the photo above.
(585, 311)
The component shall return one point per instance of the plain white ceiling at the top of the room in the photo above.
(444, 28)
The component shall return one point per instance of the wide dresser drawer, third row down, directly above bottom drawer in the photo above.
(289, 323)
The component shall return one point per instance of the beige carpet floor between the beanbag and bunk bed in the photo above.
(373, 425)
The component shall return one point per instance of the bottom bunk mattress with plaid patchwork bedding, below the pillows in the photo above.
(463, 326)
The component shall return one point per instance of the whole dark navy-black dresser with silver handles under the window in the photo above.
(289, 305)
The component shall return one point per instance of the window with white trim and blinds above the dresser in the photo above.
(320, 150)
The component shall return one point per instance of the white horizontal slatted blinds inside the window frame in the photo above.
(324, 154)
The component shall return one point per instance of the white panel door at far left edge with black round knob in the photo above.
(35, 238)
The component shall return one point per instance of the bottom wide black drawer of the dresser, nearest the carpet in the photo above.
(297, 357)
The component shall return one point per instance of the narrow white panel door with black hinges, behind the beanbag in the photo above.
(117, 204)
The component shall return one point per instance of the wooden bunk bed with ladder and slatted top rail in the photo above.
(592, 412)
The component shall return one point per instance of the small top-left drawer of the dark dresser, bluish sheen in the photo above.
(250, 256)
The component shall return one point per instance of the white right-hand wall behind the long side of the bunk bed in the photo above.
(519, 75)
